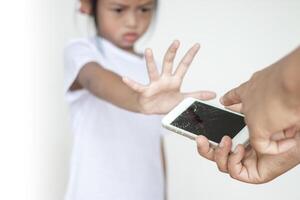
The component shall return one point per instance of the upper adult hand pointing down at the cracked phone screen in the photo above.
(270, 101)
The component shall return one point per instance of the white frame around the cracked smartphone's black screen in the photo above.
(241, 138)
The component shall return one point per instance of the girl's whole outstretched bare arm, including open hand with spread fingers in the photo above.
(158, 97)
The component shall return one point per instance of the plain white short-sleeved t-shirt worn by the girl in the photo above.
(116, 153)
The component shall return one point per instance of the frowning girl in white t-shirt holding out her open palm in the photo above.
(117, 143)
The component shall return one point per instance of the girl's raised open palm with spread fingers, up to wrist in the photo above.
(163, 92)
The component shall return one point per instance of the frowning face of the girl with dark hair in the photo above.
(123, 22)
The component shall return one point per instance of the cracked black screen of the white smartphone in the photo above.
(212, 122)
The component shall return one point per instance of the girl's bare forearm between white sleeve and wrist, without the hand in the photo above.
(108, 86)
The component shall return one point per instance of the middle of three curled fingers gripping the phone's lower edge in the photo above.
(222, 153)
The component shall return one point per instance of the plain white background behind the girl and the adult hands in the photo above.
(237, 38)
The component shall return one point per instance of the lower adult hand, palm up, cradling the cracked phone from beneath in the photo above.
(248, 165)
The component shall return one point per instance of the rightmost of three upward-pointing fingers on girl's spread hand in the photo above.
(186, 61)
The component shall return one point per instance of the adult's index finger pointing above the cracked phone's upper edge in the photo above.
(233, 96)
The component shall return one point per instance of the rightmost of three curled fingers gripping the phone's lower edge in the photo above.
(235, 165)
